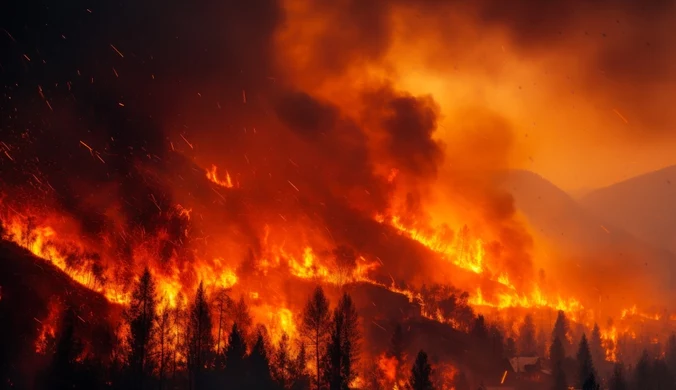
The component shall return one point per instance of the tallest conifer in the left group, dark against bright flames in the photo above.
(141, 317)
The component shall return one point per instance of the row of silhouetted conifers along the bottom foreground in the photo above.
(186, 348)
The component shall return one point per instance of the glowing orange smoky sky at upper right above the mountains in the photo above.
(585, 92)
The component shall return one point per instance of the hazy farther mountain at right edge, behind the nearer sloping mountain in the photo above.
(644, 206)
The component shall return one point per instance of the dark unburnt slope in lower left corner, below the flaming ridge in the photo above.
(29, 287)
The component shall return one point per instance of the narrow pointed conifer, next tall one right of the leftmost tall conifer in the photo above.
(201, 340)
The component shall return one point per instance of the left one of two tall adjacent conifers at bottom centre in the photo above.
(315, 327)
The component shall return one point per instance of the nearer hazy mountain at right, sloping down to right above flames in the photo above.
(604, 254)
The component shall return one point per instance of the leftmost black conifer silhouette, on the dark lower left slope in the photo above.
(62, 371)
